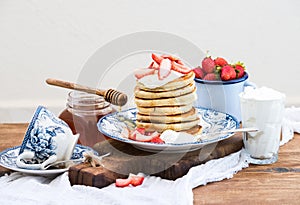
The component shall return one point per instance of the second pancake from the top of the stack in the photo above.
(143, 94)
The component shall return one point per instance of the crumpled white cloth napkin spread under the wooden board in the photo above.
(17, 188)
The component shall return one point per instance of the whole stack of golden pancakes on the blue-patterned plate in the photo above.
(169, 106)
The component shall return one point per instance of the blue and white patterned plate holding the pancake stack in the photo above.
(211, 121)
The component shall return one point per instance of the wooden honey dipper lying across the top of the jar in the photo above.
(113, 96)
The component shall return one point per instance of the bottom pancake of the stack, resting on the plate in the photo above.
(160, 127)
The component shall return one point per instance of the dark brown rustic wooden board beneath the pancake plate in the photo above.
(125, 159)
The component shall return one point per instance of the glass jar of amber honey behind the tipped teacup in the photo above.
(82, 113)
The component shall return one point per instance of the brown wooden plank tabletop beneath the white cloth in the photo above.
(278, 183)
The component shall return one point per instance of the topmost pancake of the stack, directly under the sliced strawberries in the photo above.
(181, 82)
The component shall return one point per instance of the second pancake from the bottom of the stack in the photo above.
(185, 117)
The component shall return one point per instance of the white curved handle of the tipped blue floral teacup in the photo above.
(30, 155)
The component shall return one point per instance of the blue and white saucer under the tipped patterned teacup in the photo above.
(8, 160)
